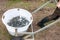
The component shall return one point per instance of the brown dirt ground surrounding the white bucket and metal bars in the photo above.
(51, 33)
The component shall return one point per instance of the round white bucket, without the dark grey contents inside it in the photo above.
(13, 13)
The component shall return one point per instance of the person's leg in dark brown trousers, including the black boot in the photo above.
(54, 16)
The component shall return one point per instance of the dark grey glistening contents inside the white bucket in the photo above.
(18, 22)
